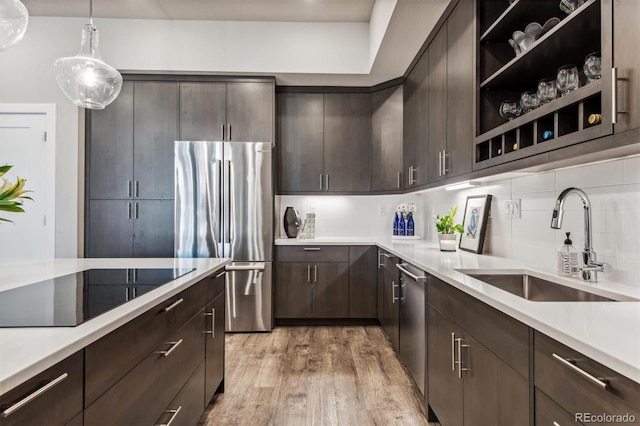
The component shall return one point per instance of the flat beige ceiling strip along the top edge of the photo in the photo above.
(219, 10)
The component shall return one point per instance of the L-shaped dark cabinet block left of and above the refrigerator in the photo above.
(130, 149)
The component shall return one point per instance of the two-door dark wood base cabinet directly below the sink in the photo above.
(468, 384)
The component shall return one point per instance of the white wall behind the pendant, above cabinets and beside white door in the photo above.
(26, 73)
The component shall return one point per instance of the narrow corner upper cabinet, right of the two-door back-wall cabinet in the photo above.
(386, 139)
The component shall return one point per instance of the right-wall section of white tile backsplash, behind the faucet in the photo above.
(613, 189)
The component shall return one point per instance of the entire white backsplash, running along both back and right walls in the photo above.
(613, 189)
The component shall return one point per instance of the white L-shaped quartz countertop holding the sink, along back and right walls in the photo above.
(608, 332)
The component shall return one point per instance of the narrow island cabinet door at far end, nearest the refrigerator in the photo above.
(214, 346)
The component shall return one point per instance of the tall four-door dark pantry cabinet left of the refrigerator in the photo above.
(130, 172)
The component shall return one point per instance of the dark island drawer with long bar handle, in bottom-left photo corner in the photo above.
(54, 396)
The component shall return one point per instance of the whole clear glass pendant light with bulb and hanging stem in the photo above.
(85, 78)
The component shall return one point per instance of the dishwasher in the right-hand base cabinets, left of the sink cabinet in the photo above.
(412, 321)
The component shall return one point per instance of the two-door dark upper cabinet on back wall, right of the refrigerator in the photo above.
(324, 142)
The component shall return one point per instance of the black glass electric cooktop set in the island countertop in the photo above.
(72, 299)
